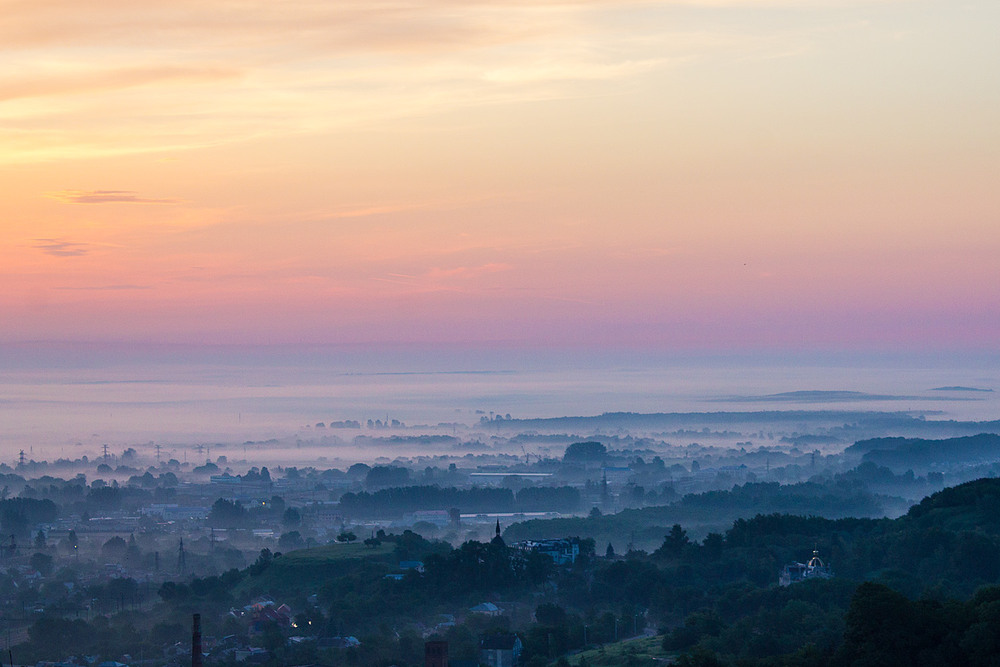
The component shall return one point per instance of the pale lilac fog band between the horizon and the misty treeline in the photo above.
(58, 402)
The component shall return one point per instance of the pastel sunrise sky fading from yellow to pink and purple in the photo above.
(688, 174)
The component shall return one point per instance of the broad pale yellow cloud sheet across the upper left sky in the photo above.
(209, 73)
